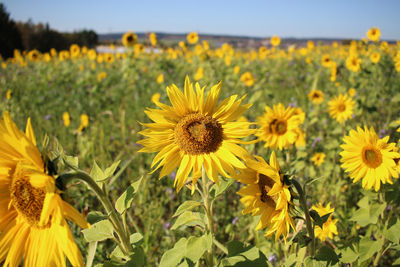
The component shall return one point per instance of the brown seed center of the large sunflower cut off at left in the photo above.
(26, 199)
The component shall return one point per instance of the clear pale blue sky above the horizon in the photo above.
(302, 19)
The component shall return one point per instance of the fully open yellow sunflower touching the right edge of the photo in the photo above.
(365, 156)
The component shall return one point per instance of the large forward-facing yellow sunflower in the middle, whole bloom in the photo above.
(196, 132)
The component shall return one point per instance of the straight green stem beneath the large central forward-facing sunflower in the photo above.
(209, 214)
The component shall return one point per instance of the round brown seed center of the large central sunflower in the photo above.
(198, 134)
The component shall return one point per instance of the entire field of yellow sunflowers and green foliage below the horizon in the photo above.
(201, 155)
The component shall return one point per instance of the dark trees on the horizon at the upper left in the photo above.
(29, 36)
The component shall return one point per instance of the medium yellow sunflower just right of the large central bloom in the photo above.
(280, 126)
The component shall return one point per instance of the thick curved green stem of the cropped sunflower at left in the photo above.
(110, 211)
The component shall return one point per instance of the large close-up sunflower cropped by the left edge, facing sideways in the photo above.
(32, 214)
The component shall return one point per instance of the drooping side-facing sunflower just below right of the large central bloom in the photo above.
(266, 195)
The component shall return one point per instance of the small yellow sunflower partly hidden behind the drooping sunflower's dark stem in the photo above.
(329, 227)
